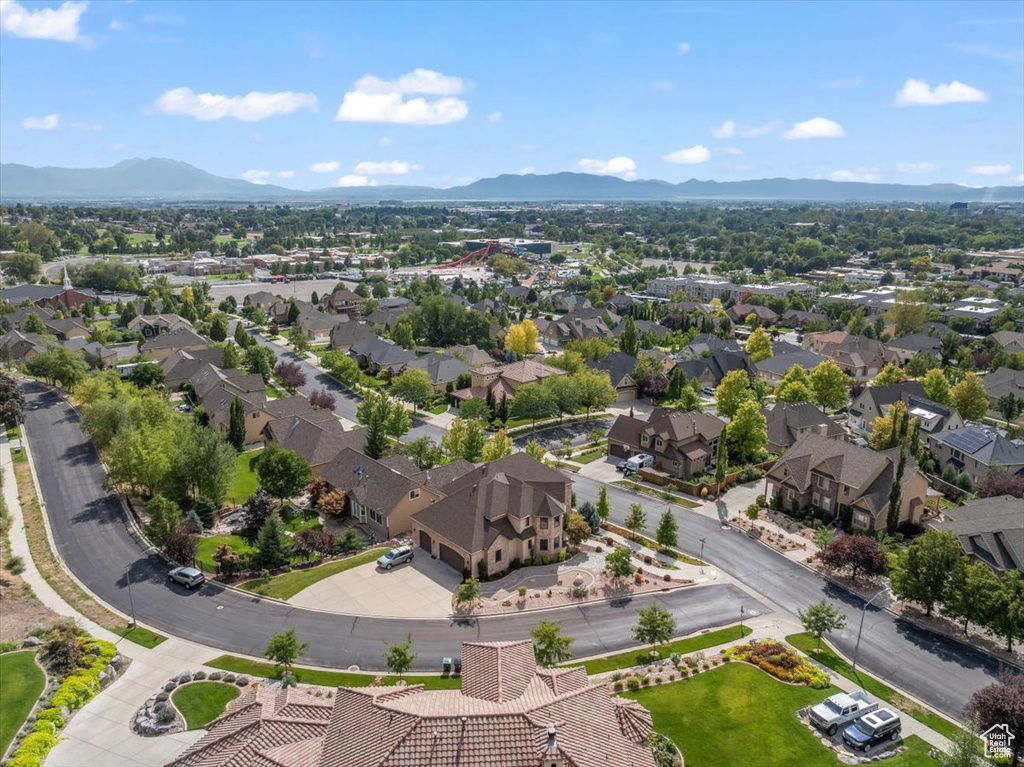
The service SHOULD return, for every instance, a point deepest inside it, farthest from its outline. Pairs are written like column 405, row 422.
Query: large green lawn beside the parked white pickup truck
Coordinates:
column 739, row 715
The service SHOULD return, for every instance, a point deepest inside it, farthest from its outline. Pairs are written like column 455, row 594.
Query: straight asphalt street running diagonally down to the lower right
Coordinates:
column 936, row 670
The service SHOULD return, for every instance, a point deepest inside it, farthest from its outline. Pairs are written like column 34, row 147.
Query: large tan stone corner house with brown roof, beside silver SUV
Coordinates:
column 513, row 509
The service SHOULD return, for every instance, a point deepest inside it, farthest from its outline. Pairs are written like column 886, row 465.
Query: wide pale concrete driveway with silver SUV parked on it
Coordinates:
column 422, row 588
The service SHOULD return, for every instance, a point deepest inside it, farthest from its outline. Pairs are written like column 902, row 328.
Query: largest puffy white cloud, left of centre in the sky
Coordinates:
column 376, row 101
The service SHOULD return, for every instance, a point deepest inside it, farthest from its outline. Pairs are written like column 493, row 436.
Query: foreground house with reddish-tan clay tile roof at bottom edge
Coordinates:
column 508, row 713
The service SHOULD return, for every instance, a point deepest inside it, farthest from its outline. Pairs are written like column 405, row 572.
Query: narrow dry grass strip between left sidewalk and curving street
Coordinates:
column 59, row 580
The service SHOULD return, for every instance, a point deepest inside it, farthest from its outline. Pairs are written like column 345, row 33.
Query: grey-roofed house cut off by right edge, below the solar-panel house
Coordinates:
column 991, row 531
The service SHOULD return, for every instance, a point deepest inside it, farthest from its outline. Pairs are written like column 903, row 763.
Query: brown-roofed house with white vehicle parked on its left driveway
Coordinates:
column 682, row 444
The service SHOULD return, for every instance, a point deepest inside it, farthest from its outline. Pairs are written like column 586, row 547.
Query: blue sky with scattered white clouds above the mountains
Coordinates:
column 315, row 95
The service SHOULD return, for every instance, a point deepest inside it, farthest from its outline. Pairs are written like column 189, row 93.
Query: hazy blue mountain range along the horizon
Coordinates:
column 156, row 180
